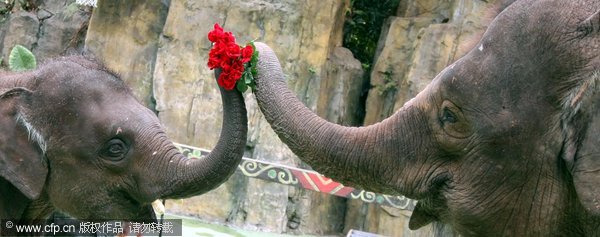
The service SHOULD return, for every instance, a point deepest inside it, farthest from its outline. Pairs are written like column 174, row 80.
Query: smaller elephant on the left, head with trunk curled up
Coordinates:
column 73, row 138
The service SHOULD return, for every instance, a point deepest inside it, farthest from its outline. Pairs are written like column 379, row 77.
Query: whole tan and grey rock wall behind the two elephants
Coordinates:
column 160, row 48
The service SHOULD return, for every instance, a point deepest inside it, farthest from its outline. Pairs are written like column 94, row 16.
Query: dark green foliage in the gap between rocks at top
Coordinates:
column 363, row 25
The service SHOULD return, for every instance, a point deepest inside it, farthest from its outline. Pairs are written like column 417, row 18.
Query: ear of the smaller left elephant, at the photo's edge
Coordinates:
column 21, row 160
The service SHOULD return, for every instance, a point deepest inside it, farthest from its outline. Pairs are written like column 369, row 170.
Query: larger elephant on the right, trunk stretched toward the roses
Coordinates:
column 502, row 142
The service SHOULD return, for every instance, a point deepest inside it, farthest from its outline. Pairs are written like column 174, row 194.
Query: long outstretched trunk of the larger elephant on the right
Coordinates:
column 370, row 156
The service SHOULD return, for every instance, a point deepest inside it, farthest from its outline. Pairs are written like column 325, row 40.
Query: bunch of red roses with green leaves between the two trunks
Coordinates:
column 238, row 64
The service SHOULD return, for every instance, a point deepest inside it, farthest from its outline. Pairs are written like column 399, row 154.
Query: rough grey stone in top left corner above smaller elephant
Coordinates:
column 49, row 30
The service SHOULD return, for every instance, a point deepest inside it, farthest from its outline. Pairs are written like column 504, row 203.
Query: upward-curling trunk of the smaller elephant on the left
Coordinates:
column 185, row 177
